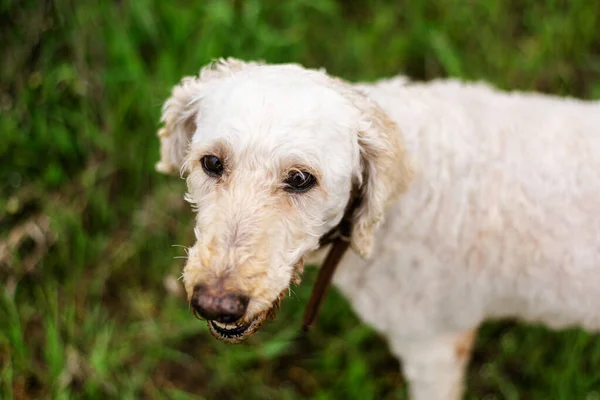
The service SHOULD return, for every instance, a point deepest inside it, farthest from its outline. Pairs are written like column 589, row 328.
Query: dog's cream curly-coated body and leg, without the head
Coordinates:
column 501, row 220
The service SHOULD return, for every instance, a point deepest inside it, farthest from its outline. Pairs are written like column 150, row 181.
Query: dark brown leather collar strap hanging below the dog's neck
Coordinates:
column 339, row 238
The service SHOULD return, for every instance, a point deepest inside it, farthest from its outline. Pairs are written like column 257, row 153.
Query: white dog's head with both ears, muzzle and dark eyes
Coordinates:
column 271, row 154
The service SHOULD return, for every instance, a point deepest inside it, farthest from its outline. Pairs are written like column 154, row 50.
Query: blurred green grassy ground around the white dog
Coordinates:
column 89, row 303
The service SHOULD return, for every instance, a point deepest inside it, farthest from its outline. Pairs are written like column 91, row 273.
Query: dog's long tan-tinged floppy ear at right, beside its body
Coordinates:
column 385, row 173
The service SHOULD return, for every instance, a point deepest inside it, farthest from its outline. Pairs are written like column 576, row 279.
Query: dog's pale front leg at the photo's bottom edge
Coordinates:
column 435, row 366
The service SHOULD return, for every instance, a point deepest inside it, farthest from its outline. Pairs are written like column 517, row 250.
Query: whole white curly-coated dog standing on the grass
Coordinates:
column 474, row 204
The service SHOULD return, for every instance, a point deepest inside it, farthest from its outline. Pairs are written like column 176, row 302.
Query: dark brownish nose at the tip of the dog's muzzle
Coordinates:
column 218, row 305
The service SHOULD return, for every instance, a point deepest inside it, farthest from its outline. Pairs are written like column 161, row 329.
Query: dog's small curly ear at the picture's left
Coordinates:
column 180, row 111
